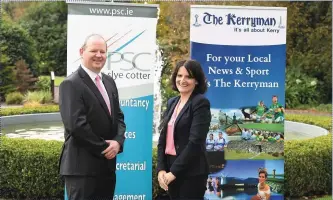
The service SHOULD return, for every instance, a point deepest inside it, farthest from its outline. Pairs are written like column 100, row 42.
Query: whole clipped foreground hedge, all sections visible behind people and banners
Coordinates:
column 29, row 168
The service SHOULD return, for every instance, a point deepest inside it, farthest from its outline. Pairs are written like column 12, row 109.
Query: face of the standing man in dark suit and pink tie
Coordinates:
column 94, row 54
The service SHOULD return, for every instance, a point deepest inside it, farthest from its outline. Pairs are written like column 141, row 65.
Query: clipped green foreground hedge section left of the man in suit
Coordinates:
column 29, row 168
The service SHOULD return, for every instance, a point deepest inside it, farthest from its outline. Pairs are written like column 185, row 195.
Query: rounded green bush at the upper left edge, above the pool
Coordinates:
column 18, row 44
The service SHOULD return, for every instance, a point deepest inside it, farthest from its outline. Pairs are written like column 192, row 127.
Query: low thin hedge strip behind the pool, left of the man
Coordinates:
column 29, row 110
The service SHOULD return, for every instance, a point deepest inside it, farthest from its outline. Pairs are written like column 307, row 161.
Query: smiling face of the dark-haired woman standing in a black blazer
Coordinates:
column 185, row 84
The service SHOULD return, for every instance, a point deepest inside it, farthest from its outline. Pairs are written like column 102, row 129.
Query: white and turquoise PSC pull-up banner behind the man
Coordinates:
column 130, row 31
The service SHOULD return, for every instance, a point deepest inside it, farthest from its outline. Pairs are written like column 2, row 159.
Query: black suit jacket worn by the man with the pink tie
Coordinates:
column 88, row 124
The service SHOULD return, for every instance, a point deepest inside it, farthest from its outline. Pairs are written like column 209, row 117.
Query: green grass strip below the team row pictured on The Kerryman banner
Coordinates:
column 234, row 155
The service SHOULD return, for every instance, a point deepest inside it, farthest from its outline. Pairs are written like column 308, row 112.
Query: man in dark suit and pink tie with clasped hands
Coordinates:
column 94, row 126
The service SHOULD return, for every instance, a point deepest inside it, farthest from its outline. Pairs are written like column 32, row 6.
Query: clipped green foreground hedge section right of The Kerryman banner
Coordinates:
column 308, row 166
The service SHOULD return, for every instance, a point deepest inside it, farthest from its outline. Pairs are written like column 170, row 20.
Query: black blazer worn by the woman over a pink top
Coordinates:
column 190, row 132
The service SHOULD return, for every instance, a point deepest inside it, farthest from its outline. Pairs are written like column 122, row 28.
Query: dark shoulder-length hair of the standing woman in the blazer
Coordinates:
column 195, row 71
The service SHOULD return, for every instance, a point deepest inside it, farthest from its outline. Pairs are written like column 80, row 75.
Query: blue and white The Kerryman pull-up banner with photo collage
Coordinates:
column 243, row 53
